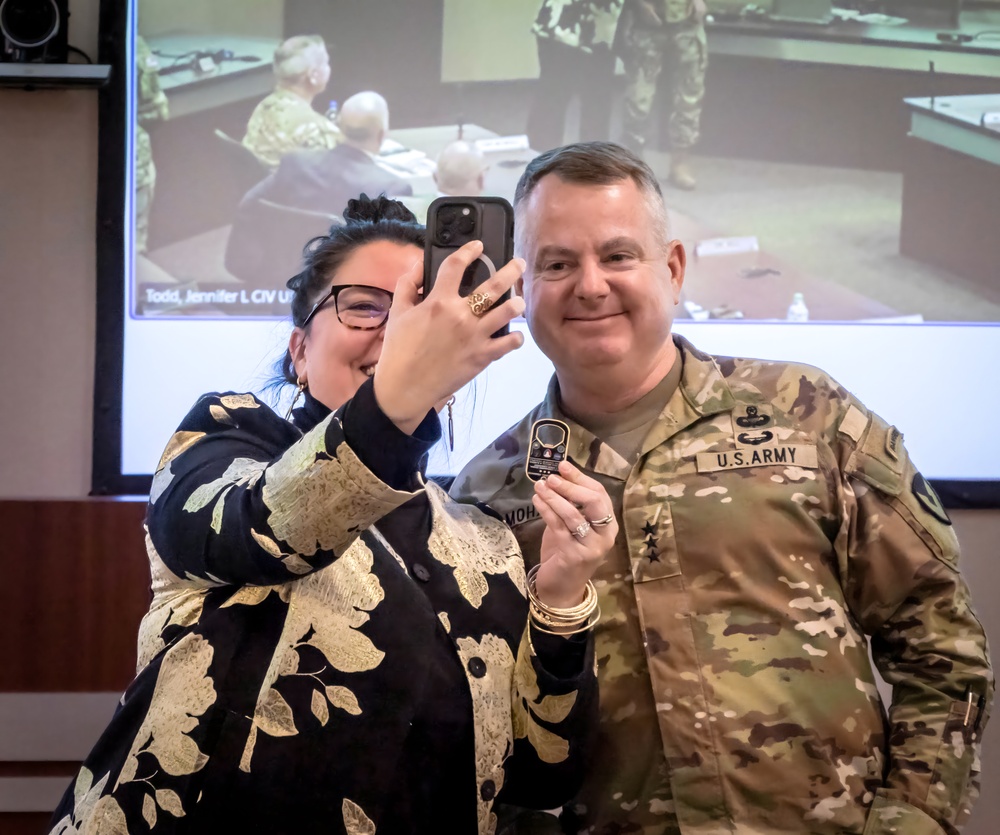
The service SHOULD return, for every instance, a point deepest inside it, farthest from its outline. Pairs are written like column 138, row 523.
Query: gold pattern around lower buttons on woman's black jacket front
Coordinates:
column 491, row 711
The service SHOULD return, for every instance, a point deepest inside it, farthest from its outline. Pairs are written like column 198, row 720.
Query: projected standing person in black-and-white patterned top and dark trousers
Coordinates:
column 574, row 59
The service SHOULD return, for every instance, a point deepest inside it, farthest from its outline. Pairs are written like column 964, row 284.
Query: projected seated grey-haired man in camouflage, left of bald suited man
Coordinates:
column 285, row 121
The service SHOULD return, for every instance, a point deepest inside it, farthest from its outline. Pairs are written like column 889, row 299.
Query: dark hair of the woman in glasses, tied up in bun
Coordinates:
column 366, row 220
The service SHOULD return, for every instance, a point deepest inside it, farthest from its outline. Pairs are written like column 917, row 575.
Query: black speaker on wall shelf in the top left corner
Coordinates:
column 33, row 31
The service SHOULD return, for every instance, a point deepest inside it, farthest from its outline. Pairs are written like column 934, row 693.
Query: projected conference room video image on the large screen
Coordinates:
column 842, row 159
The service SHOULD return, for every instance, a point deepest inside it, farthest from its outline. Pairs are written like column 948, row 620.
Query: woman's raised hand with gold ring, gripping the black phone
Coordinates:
column 435, row 346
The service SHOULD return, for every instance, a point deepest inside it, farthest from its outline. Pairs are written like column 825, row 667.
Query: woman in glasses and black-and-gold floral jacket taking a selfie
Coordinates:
column 333, row 645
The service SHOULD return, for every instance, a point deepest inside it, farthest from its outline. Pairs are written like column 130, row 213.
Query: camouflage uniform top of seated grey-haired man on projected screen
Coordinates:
column 285, row 122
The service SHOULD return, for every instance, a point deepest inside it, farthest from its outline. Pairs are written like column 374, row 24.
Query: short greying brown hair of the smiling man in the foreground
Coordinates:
column 590, row 163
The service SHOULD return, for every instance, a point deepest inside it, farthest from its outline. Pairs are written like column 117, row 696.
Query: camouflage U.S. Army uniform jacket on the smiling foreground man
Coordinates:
column 771, row 528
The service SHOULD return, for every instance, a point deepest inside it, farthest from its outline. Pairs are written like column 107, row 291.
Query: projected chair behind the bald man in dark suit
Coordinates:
column 266, row 240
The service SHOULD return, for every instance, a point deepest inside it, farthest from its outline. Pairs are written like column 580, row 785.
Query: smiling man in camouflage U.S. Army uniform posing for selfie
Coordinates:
column 773, row 529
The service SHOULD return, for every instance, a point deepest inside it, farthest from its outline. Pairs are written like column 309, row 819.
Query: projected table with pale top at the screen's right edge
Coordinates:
column 951, row 187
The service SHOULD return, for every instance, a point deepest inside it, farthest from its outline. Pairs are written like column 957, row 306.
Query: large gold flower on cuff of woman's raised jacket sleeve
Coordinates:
column 305, row 482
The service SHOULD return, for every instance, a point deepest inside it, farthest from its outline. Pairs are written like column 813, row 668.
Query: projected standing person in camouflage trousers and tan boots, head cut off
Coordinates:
column 651, row 32
